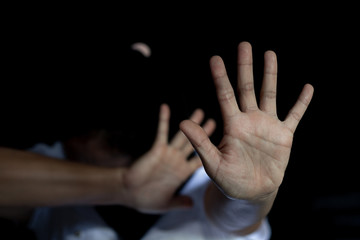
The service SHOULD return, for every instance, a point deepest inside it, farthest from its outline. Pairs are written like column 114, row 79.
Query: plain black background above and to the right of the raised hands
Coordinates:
column 67, row 70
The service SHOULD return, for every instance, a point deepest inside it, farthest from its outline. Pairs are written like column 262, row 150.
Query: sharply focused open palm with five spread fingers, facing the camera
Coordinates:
column 250, row 161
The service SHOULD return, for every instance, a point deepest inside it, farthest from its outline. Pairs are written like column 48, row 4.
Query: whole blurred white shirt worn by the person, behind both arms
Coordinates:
column 83, row 222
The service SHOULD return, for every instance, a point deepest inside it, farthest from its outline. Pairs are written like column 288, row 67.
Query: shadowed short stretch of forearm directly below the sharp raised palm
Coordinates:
column 236, row 216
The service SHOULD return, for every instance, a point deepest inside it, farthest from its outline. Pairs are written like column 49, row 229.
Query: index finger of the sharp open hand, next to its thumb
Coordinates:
column 224, row 90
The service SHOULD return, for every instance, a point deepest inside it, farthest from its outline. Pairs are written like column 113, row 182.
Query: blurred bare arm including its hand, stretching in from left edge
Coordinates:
column 29, row 179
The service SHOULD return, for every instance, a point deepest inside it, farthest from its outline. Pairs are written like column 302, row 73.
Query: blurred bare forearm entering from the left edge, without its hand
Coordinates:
column 28, row 179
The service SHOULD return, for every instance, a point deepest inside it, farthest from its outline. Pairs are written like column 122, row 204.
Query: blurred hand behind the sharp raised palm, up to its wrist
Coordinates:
column 154, row 178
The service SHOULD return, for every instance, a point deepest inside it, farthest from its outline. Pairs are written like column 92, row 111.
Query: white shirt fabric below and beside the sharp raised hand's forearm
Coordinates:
column 193, row 224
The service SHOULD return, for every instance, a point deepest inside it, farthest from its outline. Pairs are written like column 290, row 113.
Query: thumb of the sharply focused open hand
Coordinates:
column 198, row 137
